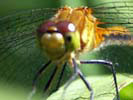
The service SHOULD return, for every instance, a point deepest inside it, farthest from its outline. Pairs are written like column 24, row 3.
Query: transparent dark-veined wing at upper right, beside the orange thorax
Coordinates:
column 115, row 13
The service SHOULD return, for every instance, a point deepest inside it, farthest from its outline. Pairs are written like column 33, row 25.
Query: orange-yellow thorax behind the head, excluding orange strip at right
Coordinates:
column 84, row 22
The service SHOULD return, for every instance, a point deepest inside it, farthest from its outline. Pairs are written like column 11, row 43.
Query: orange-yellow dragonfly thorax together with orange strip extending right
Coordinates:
column 91, row 36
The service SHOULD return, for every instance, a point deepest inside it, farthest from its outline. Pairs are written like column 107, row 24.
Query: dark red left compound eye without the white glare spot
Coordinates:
column 44, row 27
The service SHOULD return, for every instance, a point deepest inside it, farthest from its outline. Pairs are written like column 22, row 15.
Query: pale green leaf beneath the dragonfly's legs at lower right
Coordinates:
column 102, row 86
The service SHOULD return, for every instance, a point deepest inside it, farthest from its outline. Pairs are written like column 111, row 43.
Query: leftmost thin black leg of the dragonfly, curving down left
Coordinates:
column 39, row 73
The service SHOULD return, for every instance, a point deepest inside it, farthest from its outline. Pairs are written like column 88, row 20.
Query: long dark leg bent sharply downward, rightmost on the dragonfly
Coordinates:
column 110, row 66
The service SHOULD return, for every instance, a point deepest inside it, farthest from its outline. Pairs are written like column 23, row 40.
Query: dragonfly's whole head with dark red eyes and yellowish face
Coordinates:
column 58, row 38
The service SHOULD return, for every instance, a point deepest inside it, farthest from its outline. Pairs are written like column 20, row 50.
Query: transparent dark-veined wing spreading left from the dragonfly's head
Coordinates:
column 20, row 28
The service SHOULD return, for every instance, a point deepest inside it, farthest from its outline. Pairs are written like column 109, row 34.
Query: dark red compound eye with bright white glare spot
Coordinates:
column 65, row 26
